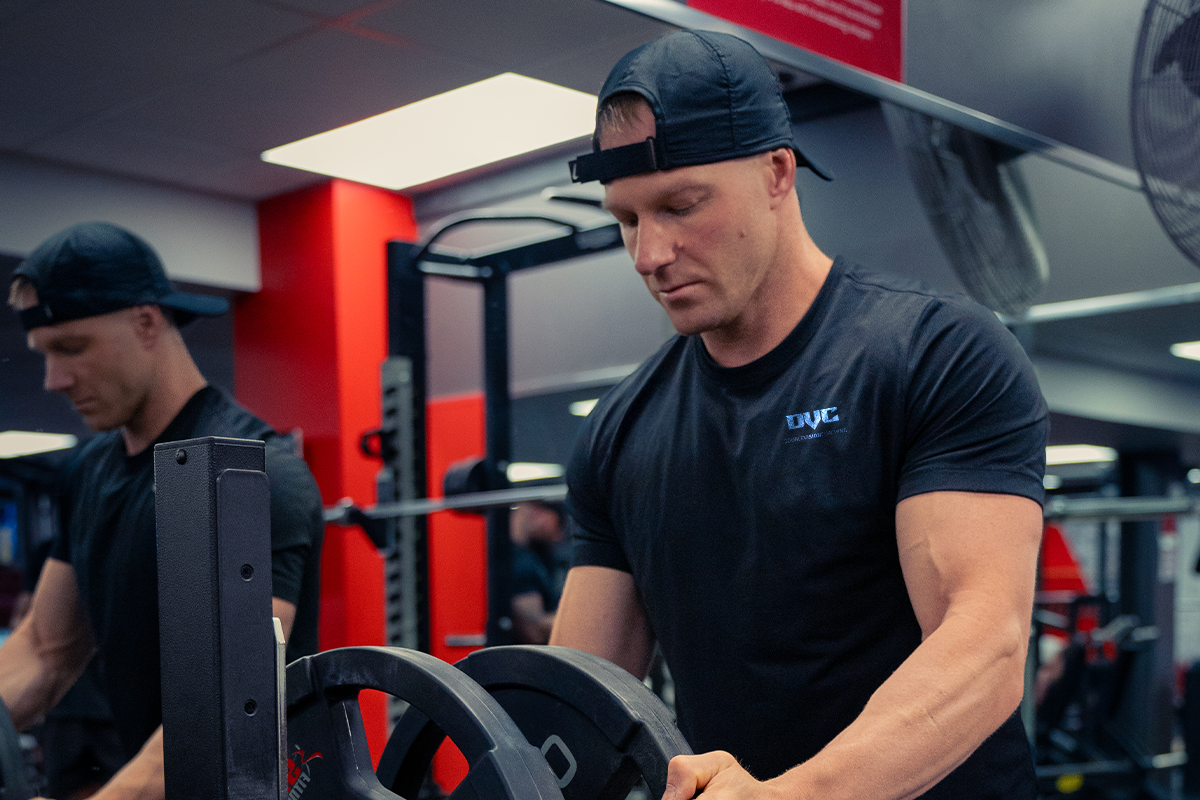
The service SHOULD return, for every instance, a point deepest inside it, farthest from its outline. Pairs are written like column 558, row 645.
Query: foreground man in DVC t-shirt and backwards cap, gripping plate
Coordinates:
column 823, row 498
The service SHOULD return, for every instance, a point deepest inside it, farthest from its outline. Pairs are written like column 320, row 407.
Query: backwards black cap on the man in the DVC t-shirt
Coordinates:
column 715, row 99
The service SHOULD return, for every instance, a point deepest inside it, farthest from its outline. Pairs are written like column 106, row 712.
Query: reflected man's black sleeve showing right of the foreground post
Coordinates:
column 297, row 522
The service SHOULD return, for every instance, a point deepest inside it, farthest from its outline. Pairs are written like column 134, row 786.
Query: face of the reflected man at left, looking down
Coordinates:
column 100, row 364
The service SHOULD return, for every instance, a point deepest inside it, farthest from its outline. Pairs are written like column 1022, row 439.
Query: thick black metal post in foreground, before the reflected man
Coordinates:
column 220, row 699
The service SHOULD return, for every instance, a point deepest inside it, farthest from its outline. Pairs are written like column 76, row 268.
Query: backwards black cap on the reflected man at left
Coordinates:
column 97, row 268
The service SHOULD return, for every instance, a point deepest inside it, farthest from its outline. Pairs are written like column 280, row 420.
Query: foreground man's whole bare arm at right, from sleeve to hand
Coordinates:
column 970, row 564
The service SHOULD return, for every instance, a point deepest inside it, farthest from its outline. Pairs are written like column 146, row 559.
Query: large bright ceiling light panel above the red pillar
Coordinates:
column 476, row 125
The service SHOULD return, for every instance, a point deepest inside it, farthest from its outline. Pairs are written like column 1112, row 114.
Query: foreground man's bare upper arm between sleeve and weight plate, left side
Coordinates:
column 602, row 613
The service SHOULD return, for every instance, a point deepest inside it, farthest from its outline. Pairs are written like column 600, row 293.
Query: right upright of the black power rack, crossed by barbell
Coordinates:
column 500, row 453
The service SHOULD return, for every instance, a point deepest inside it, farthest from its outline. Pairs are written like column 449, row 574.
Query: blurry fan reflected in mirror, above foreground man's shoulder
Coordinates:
column 979, row 206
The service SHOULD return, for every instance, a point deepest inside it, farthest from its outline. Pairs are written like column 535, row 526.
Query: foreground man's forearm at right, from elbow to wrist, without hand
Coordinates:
column 927, row 719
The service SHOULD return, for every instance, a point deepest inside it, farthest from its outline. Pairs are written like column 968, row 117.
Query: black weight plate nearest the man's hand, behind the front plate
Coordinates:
column 599, row 727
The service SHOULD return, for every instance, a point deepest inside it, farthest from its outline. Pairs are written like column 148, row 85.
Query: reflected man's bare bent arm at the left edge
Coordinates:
column 50, row 649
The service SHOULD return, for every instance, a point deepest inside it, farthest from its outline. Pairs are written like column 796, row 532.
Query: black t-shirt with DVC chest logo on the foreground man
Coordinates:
column 755, row 509
